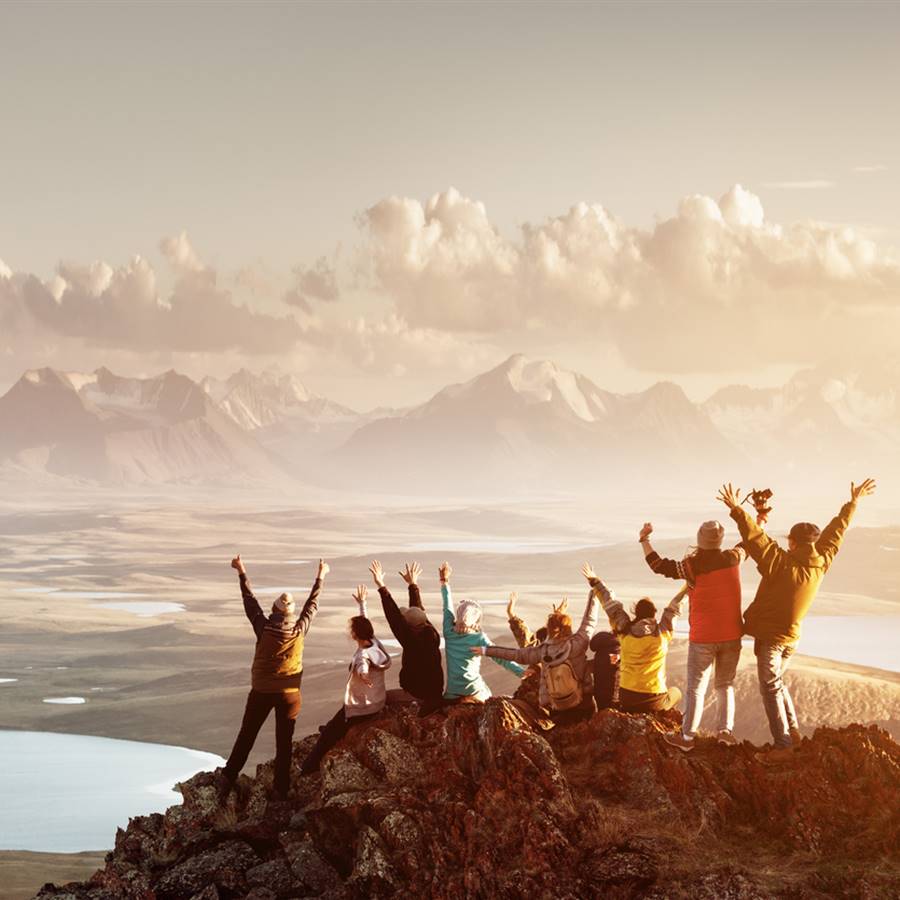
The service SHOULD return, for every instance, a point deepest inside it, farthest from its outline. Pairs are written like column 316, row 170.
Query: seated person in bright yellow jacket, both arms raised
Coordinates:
column 645, row 643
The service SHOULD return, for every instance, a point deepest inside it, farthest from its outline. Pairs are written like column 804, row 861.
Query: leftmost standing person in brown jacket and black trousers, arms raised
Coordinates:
column 275, row 678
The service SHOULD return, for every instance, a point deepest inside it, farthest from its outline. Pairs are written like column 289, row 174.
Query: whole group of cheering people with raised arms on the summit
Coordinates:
column 628, row 669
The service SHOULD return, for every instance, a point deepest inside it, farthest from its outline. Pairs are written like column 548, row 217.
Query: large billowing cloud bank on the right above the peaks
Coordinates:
column 713, row 282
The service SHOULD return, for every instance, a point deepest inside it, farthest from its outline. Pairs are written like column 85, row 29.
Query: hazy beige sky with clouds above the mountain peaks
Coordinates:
column 388, row 197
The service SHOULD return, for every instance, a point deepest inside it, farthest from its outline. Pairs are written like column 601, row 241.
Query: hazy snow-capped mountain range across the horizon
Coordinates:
column 524, row 420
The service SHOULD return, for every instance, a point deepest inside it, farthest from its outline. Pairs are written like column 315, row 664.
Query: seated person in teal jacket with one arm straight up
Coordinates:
column 462, row 631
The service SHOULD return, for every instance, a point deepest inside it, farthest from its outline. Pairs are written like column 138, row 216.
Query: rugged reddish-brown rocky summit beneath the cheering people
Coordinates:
column 486, row 801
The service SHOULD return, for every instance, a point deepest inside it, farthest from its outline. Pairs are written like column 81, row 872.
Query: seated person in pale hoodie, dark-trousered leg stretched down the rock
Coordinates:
column 365, row 694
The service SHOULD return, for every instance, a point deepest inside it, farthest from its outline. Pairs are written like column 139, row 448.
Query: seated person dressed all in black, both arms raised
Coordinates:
column 421, row 672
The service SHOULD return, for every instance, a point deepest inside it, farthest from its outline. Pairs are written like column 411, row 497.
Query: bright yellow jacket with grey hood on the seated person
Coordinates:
column 644, row 642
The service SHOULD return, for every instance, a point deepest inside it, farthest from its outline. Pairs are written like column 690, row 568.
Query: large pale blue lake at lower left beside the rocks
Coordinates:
column 63, row 793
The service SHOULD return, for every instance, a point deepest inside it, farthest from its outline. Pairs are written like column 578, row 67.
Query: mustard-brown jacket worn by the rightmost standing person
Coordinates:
column 790, row 578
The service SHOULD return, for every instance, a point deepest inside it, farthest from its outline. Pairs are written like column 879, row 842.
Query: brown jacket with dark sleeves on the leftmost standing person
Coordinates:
column 278, row 661
